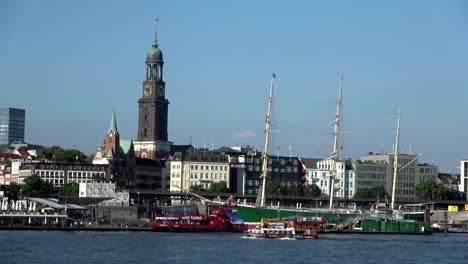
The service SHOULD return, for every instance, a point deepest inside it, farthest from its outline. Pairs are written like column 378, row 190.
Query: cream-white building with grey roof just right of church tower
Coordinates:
column 188, row 170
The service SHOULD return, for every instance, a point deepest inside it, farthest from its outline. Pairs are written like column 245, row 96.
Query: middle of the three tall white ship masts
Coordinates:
column 334, row 154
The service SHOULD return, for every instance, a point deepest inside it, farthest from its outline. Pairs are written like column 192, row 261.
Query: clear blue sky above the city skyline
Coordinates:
column 69, row 63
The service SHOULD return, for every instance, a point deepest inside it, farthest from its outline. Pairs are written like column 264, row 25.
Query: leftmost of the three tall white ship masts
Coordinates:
column 261, row 192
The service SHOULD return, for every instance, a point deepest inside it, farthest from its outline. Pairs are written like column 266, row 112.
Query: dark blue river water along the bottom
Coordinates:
column 226, row 248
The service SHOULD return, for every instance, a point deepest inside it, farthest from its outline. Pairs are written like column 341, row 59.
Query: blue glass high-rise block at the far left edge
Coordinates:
column 12, row 123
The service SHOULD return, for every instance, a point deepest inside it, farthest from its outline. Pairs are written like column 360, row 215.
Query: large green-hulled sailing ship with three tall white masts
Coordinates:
column 339, row 218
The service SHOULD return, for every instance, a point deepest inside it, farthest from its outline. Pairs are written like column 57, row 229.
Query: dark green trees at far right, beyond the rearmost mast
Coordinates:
column 432, row 191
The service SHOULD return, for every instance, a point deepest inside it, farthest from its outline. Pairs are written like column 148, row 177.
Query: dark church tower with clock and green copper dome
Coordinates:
column 152, row 139
